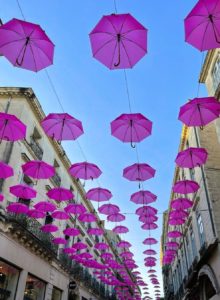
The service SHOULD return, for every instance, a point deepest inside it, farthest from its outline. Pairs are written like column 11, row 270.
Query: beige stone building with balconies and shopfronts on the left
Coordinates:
column 31, row 266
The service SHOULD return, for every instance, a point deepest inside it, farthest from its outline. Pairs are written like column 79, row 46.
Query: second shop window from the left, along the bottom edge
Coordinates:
column 34, row 289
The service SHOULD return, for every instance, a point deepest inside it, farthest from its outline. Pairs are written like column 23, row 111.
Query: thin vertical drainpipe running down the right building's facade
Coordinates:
column 208, row 200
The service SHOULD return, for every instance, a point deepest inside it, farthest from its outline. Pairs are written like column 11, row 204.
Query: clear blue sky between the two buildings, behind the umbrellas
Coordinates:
column 162, row 81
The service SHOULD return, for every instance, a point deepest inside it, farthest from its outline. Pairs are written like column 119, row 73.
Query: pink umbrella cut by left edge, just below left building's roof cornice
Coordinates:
column 11, row 128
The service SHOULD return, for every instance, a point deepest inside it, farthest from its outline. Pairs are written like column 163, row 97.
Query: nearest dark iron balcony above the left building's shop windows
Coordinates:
column 29, row 229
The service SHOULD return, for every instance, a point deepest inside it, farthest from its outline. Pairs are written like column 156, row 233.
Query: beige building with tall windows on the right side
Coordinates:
column 195, row 272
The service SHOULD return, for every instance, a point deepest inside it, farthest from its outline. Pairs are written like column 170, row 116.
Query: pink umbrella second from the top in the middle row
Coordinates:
column 131, row 128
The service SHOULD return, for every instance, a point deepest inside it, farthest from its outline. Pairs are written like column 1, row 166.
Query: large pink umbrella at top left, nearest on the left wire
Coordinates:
column 26, row 45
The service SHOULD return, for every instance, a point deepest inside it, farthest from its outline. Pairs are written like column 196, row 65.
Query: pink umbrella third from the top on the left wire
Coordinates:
column 85, row 170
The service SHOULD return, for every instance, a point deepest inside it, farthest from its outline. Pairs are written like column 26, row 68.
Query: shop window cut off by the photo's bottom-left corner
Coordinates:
column 8, row 280
